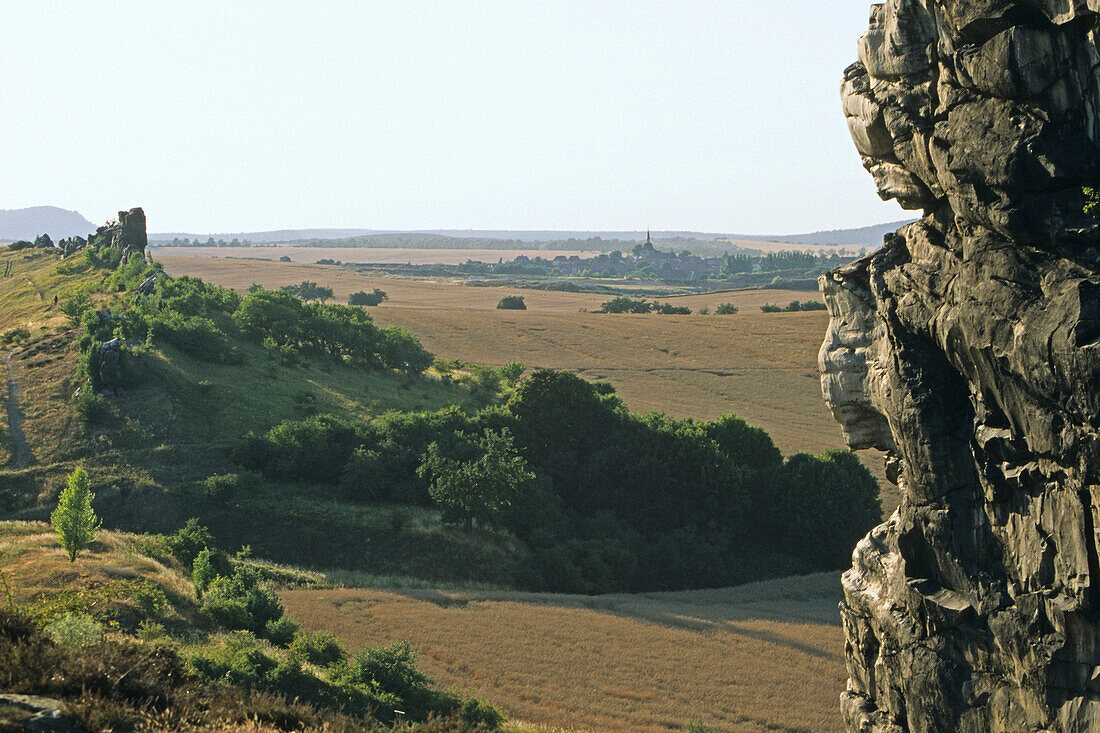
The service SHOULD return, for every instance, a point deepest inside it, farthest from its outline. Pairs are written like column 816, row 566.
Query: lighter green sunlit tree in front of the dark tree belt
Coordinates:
column 480, row 487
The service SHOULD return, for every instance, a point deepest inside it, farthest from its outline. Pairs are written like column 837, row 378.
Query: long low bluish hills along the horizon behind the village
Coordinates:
column 483, row 238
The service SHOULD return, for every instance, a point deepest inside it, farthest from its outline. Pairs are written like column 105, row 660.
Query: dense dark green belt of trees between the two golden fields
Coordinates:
column 607, row 501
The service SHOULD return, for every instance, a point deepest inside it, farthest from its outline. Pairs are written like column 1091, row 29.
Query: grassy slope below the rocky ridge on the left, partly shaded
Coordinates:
column 175, row 424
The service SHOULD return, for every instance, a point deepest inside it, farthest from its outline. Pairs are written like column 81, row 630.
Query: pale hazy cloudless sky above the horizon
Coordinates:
column 243, row 116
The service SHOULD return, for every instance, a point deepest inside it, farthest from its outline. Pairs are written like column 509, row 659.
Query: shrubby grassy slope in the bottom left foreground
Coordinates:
column 125, row 641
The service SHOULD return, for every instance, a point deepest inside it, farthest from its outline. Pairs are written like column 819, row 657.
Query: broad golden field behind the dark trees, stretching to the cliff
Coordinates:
column 763, row 367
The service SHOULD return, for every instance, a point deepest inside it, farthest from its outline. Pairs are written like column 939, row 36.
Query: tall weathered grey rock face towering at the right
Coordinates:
column 969, row 348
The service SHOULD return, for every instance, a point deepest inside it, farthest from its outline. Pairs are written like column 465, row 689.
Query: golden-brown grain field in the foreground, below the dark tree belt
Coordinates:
column 762, row 658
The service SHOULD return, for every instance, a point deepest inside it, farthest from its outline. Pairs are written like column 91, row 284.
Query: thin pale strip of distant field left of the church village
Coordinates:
column 361, row 255
